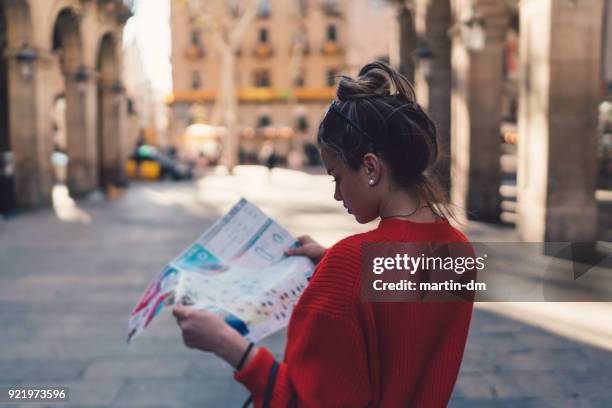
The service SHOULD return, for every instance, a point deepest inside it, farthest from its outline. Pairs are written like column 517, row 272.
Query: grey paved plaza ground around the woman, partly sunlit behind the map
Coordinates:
column 67, row 287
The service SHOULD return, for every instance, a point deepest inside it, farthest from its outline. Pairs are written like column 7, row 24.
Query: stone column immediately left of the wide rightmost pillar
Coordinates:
column 476, row 111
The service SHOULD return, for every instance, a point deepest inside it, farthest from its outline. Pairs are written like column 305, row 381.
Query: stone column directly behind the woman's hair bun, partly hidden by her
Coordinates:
column 433, row 74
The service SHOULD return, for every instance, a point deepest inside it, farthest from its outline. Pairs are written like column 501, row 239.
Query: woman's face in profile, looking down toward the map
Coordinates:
column 351, row 187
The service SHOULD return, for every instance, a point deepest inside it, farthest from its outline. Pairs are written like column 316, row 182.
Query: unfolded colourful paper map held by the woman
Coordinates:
column 237, row 269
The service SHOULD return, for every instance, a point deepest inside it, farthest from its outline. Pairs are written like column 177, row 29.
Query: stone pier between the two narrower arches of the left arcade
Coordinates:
column 81, row 115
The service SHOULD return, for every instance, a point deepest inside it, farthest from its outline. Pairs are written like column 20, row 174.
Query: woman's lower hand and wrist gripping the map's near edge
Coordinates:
column 206, row 331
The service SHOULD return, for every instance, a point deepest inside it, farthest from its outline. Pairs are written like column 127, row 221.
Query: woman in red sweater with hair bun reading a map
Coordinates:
column 342, row 351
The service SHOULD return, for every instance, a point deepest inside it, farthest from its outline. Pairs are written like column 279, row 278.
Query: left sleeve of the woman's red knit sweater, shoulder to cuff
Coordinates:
column 326, row 362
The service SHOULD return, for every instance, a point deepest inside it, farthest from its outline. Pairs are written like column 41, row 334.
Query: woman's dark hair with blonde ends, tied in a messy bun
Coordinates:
column 377, row 113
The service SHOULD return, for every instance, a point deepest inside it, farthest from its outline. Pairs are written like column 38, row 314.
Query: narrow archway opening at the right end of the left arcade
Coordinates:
column 109, row 97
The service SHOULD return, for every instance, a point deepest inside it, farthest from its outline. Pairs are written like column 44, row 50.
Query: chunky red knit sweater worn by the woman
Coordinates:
column 344, row 352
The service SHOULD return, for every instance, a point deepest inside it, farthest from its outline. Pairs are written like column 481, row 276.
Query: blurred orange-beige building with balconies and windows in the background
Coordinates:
column 282, row 94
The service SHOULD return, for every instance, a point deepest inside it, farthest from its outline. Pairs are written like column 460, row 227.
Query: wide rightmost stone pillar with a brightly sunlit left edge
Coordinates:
column 559, row 90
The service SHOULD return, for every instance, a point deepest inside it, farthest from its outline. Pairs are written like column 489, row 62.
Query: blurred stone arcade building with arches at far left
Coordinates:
column 61, row 89
